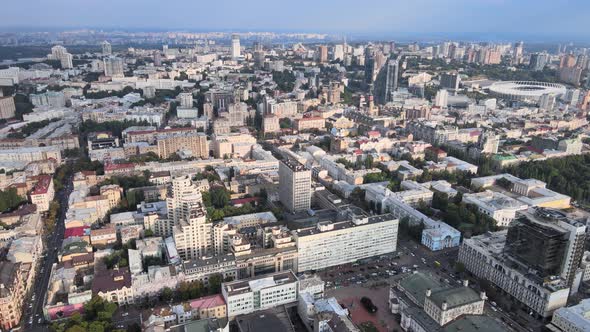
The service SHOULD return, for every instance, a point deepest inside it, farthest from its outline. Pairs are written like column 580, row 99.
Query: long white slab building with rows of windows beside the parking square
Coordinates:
column 334, row 243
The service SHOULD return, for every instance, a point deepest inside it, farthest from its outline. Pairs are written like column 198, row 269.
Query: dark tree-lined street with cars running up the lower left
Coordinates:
column 53, row 241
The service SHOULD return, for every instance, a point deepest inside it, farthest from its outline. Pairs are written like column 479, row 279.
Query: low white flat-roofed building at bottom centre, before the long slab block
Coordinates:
column 247, row 296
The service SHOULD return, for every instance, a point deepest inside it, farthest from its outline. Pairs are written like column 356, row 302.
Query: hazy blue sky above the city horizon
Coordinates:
column 508, row 18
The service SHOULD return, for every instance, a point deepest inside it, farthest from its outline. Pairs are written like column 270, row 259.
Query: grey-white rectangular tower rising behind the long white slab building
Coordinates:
column 294, row 185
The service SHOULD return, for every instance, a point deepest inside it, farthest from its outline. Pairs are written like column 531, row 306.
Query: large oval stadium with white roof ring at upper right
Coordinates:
column 526, row 91
